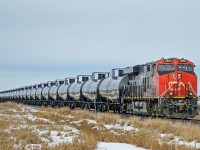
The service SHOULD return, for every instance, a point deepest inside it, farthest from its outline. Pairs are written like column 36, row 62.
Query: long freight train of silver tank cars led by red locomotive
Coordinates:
column 166, row 87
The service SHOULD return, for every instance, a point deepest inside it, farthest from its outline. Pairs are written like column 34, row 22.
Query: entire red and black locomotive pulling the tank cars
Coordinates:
column 167, row 87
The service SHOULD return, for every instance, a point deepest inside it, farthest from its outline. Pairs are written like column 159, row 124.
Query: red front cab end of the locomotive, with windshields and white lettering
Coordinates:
column 176, row 88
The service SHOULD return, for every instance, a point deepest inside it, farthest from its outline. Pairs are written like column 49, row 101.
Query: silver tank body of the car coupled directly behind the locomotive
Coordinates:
column 110, row 87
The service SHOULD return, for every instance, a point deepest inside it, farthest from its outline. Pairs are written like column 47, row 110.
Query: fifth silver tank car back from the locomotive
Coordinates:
column 53, row 92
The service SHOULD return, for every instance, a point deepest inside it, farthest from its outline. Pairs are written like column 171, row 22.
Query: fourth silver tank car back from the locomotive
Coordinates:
column 63, row 89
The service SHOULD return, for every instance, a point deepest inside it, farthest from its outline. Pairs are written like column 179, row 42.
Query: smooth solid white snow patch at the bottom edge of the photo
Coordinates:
column 117, row 146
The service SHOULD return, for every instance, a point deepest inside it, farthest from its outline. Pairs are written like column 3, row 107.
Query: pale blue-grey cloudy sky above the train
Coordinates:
column 44, row 40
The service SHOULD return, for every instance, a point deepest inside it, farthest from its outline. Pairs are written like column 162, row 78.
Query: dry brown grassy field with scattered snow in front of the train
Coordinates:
column 25, row 127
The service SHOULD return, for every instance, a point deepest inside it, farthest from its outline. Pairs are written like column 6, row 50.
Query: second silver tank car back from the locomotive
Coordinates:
column 91, row 88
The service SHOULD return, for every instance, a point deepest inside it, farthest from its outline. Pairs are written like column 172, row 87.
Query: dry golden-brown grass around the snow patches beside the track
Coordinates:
column 148, row 135
